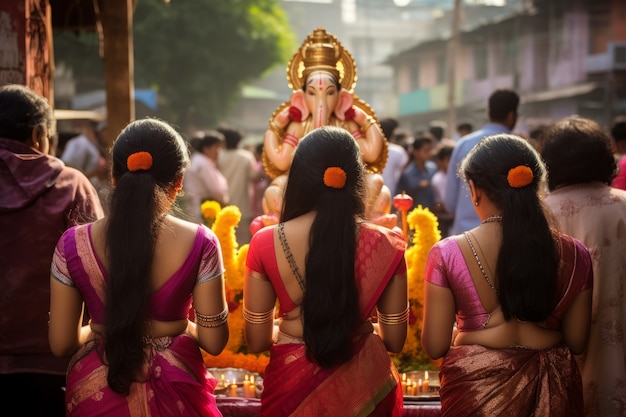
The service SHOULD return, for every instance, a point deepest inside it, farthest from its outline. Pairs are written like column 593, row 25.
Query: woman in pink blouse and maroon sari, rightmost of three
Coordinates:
column 519, row 293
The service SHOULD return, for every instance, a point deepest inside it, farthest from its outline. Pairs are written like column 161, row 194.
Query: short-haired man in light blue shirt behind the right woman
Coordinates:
column 502, row 113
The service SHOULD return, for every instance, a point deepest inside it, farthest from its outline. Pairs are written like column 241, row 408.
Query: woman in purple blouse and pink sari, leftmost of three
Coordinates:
column 138, row 271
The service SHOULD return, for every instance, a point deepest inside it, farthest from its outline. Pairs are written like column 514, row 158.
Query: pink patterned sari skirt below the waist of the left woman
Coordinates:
column 175, row 383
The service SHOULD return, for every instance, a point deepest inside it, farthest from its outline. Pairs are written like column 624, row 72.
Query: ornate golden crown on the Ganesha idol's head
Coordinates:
column 321, row 51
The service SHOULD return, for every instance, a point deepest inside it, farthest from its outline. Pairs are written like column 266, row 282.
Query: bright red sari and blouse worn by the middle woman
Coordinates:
column 367, row 385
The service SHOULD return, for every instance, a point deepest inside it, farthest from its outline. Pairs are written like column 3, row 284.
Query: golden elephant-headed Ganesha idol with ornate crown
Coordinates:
column 322, row 75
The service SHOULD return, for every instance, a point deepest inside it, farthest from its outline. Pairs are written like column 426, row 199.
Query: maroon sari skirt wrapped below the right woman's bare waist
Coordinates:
column 517, row 381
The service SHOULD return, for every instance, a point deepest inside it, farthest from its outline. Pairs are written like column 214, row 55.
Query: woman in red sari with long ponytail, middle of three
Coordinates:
column 329, row 271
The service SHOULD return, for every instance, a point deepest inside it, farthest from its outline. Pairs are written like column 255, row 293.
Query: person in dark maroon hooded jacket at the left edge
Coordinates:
column 40, row 198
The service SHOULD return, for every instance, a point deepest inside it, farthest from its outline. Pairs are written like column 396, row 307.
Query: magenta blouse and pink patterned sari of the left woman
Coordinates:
column 175, row 381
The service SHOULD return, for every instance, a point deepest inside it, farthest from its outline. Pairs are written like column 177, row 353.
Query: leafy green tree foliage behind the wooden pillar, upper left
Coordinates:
column 196, row 54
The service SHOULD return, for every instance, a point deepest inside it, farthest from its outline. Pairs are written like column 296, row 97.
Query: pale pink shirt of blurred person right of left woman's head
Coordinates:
column 203, row 181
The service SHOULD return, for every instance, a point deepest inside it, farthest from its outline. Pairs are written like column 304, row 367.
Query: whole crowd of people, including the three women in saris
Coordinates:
column 123, row 288
